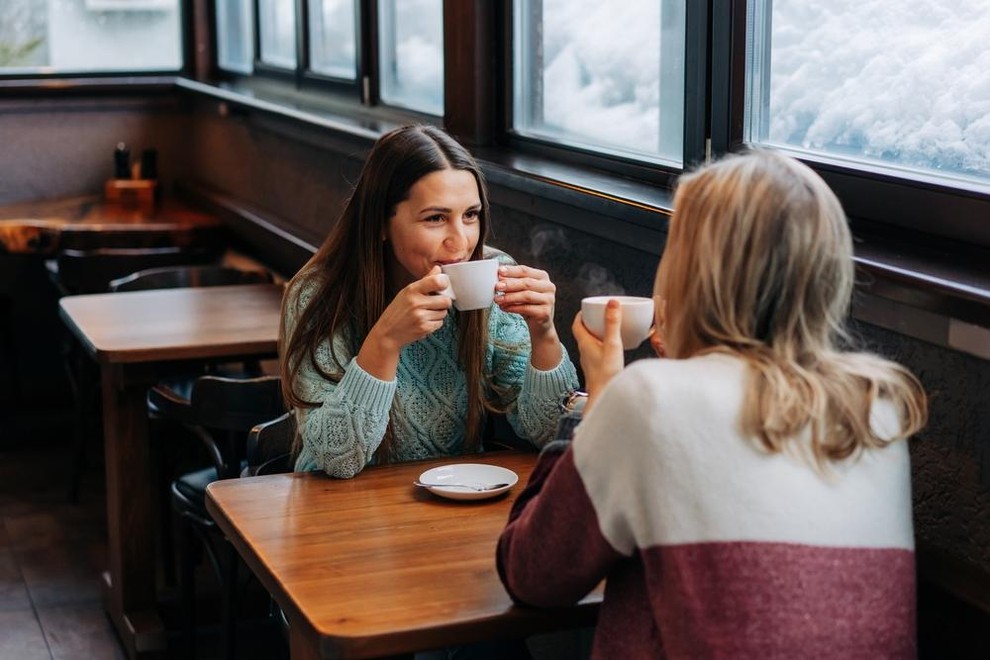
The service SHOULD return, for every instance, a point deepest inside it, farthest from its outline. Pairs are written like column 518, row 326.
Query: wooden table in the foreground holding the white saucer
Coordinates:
column 373, row 566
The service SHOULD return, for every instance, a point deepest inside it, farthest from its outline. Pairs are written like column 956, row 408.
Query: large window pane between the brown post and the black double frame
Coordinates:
column 603, row 76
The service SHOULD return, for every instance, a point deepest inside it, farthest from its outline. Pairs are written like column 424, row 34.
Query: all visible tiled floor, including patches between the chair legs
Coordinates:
column 52, row 552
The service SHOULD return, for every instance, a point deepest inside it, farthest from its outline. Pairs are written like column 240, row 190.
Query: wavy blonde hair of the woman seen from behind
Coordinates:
column 759, row 264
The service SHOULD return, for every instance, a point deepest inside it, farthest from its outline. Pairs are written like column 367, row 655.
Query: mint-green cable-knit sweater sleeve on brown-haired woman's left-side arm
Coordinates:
column 341, row 434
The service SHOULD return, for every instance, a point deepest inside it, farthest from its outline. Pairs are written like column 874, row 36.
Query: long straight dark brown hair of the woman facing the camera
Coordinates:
column 348, row 275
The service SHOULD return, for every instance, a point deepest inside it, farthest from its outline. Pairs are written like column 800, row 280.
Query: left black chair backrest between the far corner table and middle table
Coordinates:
column 90, row 271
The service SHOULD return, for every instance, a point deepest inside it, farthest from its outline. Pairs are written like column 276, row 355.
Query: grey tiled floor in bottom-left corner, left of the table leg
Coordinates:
column 51, row 554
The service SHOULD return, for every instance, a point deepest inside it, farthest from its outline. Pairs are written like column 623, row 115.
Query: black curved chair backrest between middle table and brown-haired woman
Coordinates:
column 226, row 409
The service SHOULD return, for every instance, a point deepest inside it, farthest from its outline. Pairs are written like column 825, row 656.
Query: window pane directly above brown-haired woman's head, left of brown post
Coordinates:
column 410, row 36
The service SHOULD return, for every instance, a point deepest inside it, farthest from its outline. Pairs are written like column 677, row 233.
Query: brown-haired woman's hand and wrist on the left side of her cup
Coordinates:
column 416, row 311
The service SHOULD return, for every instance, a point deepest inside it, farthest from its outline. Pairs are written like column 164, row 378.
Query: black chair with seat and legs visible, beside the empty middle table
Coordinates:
column 221, row 412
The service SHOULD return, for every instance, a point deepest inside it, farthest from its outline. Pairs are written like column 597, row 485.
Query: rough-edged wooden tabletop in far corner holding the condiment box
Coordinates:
column 45, row 226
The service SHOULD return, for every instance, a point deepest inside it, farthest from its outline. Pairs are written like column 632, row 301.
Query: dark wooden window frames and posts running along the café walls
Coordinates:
column 478, row 60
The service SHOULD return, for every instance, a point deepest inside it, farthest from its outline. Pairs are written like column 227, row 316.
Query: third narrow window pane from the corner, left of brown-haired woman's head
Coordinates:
column 333, row 48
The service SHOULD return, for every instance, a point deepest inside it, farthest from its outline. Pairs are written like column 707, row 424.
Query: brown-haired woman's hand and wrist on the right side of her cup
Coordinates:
column 530, row 293
